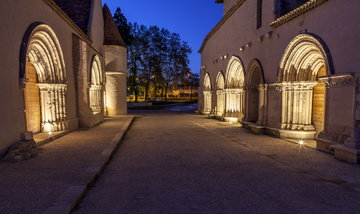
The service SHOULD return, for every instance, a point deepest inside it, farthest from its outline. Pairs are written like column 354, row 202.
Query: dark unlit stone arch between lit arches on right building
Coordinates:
column 254, row 84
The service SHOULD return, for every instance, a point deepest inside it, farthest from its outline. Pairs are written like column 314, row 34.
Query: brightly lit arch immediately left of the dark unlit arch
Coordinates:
column 234, row 89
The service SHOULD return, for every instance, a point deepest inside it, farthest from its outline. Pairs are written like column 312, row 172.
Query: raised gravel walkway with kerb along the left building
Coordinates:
column 34, row 185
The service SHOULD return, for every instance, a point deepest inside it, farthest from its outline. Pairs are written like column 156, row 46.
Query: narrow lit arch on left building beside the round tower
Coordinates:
column 95, row 90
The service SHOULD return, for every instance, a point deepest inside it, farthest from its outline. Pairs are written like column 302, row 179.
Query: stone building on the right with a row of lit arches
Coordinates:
column 287, row 68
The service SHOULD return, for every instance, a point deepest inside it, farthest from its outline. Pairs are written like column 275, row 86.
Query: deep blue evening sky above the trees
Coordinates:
column 192, row 19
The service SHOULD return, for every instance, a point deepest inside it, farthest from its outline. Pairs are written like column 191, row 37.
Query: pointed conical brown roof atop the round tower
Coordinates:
column 111, row 32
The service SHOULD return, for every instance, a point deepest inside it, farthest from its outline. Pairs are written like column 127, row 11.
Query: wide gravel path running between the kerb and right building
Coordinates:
column 184, row 163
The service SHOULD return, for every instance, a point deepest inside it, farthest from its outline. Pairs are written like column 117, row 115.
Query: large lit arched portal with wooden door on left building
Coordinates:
column 44, row 71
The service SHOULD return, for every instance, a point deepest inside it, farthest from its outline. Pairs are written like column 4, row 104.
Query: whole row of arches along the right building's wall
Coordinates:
column 299, row 89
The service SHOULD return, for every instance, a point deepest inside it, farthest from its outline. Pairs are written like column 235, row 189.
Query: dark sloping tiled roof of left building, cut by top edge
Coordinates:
column 77, row 10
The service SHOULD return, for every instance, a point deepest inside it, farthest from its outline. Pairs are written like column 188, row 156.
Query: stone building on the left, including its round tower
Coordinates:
column 64, row 67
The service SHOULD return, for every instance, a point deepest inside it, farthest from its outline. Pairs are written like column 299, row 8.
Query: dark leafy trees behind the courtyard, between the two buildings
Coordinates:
column 157, row 58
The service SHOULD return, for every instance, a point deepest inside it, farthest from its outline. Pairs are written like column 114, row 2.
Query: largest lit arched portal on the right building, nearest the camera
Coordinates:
column 303, row 94
